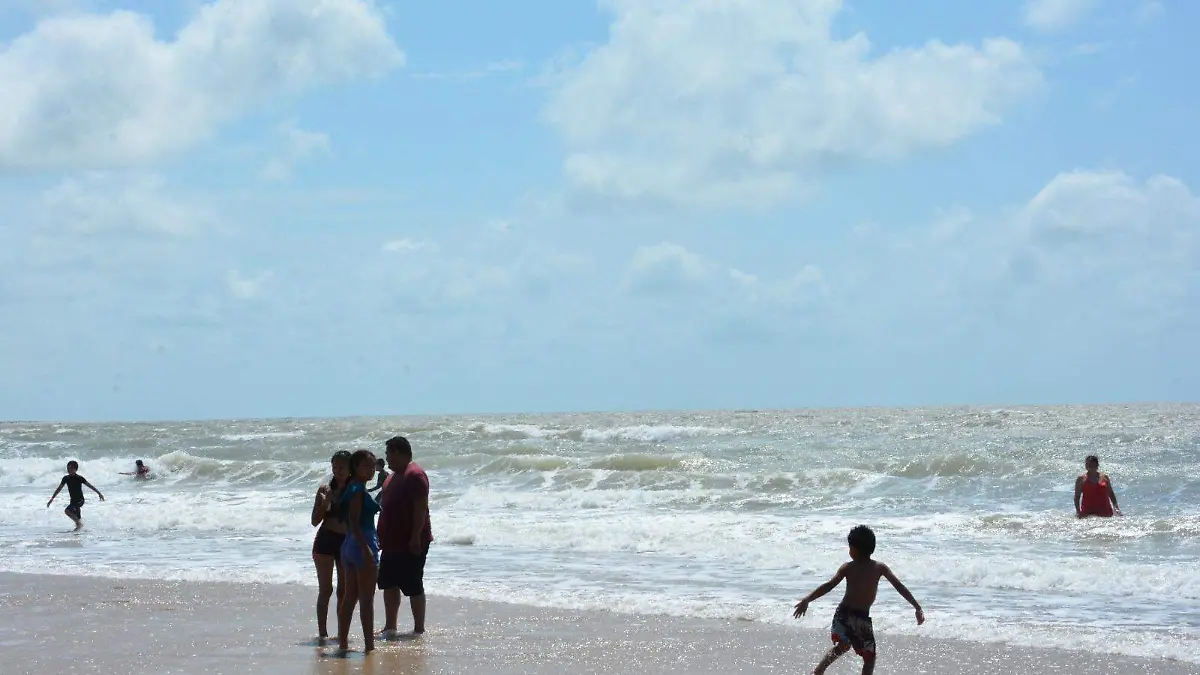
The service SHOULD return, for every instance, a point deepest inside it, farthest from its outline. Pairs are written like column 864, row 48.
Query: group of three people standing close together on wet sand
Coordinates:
column 365, row 555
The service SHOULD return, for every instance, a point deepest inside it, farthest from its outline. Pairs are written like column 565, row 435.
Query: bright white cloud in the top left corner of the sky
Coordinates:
column 101, row 91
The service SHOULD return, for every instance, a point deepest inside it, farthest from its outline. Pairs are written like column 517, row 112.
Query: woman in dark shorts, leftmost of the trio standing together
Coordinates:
column 327, row 547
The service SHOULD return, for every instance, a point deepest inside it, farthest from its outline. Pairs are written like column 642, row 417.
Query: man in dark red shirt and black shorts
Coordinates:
column 405, row 535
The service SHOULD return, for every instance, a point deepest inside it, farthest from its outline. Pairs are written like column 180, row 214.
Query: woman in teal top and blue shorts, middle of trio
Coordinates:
column 361, row 553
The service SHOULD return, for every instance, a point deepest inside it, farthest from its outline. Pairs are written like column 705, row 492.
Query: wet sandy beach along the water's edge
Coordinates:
column 77, row 625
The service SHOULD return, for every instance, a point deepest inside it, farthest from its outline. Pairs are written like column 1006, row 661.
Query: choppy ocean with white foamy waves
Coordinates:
column 707, row 515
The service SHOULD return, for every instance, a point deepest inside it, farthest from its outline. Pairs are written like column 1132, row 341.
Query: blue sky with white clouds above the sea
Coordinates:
column 308, row 208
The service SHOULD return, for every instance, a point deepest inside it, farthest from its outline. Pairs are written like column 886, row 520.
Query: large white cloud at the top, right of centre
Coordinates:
column 724, row 101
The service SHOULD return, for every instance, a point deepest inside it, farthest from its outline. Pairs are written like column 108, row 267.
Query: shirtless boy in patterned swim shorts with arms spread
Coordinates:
column 853, row 619
